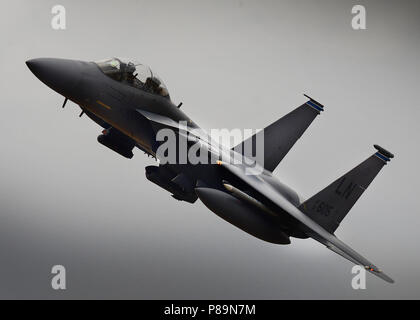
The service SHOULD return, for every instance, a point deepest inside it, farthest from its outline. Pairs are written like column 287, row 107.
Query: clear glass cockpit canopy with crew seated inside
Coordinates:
column 134, row 74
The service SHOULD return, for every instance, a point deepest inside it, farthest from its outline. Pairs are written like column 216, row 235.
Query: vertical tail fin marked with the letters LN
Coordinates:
column 329, row 206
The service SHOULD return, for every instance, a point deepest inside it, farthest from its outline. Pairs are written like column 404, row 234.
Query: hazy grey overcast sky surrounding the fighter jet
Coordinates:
column 65, row 199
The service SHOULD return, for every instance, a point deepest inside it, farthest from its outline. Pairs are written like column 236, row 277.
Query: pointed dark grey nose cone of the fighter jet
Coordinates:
column 61, row 75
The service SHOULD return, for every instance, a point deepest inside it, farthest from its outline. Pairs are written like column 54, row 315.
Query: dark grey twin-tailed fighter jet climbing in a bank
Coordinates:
column 133, row 106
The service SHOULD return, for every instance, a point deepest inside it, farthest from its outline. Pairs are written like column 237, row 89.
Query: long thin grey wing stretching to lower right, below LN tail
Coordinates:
column 313, row 229
